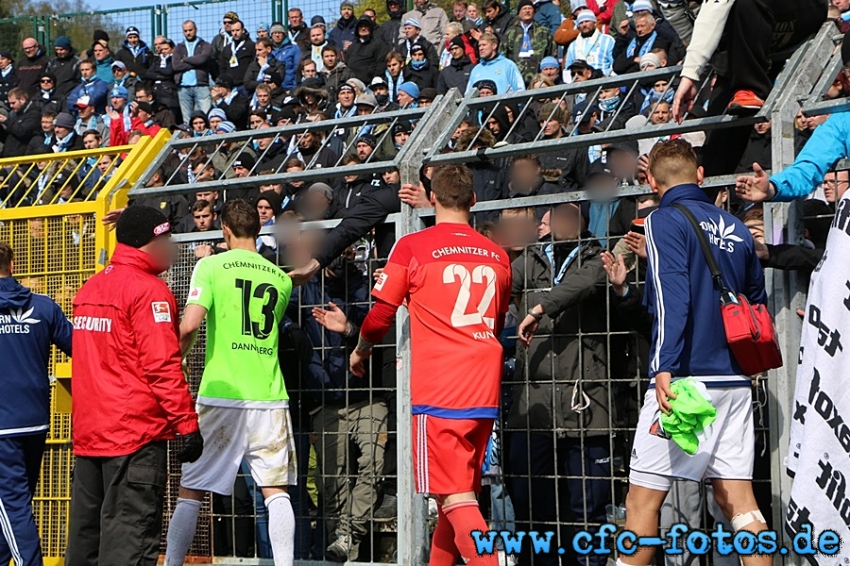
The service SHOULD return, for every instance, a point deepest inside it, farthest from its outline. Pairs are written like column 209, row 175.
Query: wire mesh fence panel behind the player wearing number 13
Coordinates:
column 343, row 425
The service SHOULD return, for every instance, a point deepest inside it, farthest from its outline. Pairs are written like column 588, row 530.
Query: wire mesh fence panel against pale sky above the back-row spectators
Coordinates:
column 208, row 16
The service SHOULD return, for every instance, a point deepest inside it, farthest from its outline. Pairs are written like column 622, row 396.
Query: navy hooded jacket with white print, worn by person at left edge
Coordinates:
column 29, row 324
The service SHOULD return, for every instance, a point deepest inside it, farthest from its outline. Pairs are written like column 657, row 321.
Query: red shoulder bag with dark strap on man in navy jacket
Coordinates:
column 749, row 328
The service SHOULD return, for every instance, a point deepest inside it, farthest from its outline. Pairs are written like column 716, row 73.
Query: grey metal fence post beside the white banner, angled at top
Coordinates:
column 783, row 224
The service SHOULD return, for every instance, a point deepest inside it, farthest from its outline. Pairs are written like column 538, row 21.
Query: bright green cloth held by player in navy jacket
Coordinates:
column 692, row 413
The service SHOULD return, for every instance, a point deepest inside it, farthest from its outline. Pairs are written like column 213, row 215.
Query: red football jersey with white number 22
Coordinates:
column 457, row 285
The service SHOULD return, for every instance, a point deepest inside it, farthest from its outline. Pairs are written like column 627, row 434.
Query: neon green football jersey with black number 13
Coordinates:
column 245, row 296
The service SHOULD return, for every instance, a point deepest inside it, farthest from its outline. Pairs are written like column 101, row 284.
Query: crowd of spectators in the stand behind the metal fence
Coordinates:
column 311, row 71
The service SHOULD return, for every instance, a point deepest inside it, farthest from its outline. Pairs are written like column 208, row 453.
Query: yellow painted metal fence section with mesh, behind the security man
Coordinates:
column 58, row 245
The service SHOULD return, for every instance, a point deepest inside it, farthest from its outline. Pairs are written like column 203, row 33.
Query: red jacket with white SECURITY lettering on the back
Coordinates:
column 128, row 385
